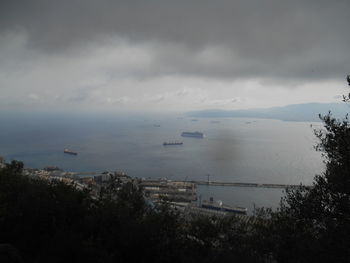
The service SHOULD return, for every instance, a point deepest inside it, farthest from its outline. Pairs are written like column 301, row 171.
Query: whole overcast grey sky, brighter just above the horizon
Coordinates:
column 162, row 55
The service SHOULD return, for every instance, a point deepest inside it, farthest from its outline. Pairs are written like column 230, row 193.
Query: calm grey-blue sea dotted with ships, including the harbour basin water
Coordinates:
column 233, row 150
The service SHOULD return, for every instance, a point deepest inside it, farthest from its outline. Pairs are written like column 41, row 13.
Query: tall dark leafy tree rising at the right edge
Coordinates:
column 313, row 224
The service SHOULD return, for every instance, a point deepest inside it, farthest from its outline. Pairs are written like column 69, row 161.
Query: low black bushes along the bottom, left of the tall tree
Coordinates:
column 50, row 221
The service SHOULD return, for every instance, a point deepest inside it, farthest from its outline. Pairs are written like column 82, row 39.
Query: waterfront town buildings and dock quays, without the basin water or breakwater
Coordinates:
column 179, row 195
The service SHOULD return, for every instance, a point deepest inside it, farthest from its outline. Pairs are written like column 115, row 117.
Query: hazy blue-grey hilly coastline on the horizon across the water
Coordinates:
column 292, row 112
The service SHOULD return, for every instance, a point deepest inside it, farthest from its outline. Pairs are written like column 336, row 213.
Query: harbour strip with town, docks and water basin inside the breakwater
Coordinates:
column 187, row 196
